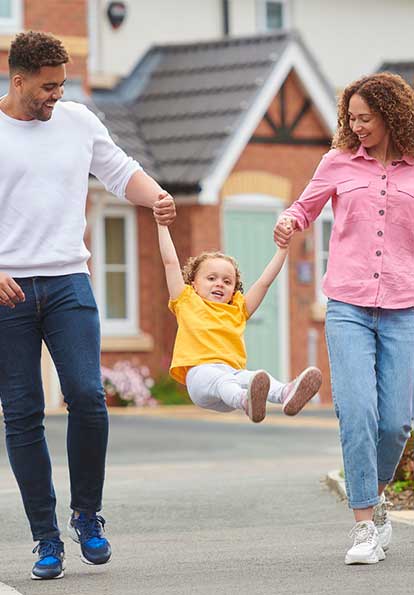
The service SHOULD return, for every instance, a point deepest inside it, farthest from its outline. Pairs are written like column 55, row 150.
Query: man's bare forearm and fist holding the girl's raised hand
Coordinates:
column 144, row 191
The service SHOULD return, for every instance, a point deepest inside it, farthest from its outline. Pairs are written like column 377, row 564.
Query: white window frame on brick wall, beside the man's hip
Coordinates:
column 109, row 208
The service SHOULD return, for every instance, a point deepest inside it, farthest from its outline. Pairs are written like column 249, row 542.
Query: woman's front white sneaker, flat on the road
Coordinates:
column 366, row 548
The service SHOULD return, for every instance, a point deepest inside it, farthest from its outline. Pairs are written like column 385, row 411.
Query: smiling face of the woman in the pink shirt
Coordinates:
column 368, row 125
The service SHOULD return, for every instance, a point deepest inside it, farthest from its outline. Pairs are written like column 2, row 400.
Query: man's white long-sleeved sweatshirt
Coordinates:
column 44, row 171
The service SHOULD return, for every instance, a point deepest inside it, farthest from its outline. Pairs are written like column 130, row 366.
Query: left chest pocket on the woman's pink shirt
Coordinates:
column 355, row 200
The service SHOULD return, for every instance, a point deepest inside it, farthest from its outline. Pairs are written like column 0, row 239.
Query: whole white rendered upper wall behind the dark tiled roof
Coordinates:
column 347, row 37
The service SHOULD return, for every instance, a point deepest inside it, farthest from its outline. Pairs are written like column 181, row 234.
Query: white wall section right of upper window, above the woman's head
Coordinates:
column 350, row 38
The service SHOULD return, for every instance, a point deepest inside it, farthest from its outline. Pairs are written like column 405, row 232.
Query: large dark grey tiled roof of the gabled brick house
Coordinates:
column 180, row 105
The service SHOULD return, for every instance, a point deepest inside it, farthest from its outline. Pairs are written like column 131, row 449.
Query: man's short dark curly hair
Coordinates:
column 32, row 50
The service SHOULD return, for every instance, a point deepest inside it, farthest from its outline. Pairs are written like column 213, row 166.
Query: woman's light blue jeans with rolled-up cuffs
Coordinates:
column 371, row 353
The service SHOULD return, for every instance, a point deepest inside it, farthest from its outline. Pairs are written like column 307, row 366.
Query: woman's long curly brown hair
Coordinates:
column 387, row 94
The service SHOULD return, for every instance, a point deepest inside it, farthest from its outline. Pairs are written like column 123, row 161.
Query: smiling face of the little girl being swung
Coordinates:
column 215, row 280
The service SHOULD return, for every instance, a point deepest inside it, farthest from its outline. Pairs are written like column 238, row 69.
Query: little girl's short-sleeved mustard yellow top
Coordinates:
column 208, row 332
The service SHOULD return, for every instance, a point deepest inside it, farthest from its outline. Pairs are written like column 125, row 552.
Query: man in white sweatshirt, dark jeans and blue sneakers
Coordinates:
column 47, row 150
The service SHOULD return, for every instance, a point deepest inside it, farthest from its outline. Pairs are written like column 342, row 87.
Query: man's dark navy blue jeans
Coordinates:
column 61, row 311
